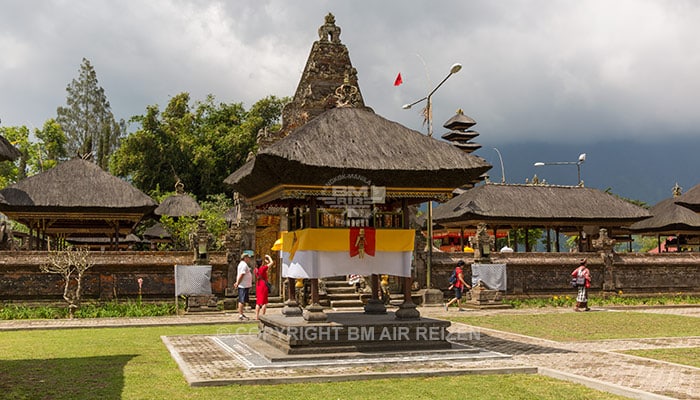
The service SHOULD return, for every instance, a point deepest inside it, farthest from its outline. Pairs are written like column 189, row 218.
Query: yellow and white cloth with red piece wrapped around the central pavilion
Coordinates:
column 319, row 253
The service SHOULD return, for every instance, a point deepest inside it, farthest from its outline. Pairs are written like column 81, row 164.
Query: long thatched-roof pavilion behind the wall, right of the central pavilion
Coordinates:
column 573, row 210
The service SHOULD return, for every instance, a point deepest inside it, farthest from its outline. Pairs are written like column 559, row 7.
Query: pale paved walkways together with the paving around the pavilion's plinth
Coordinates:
column 598, row 364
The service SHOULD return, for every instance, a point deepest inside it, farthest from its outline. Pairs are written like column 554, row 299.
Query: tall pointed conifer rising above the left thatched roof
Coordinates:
column 87, row 119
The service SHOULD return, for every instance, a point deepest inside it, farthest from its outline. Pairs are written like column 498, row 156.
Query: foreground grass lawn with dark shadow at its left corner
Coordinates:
column 133, row 363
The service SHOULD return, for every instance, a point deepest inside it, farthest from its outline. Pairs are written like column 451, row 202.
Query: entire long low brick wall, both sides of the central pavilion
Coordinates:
column 115, row 274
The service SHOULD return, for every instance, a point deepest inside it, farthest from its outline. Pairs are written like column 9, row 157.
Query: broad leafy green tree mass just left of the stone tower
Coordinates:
column 200, row 144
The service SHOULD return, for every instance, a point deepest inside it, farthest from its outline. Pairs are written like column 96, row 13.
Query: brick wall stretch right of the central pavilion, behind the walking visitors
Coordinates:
column 549, row 273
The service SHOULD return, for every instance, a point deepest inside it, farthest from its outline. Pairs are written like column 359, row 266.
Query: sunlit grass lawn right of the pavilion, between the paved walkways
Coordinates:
column 595, row 325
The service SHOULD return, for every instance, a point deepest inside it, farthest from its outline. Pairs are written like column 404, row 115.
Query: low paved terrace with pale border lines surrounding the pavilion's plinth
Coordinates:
column 242, row 359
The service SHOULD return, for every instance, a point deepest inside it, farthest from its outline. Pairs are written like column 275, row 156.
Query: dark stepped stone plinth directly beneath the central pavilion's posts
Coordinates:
column 351, row 332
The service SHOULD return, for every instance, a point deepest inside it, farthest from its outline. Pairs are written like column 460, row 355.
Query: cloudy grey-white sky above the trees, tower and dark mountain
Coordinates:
column 566, row 71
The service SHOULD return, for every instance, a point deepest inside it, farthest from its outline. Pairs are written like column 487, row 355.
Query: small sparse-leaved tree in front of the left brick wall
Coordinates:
column 71, row 264
